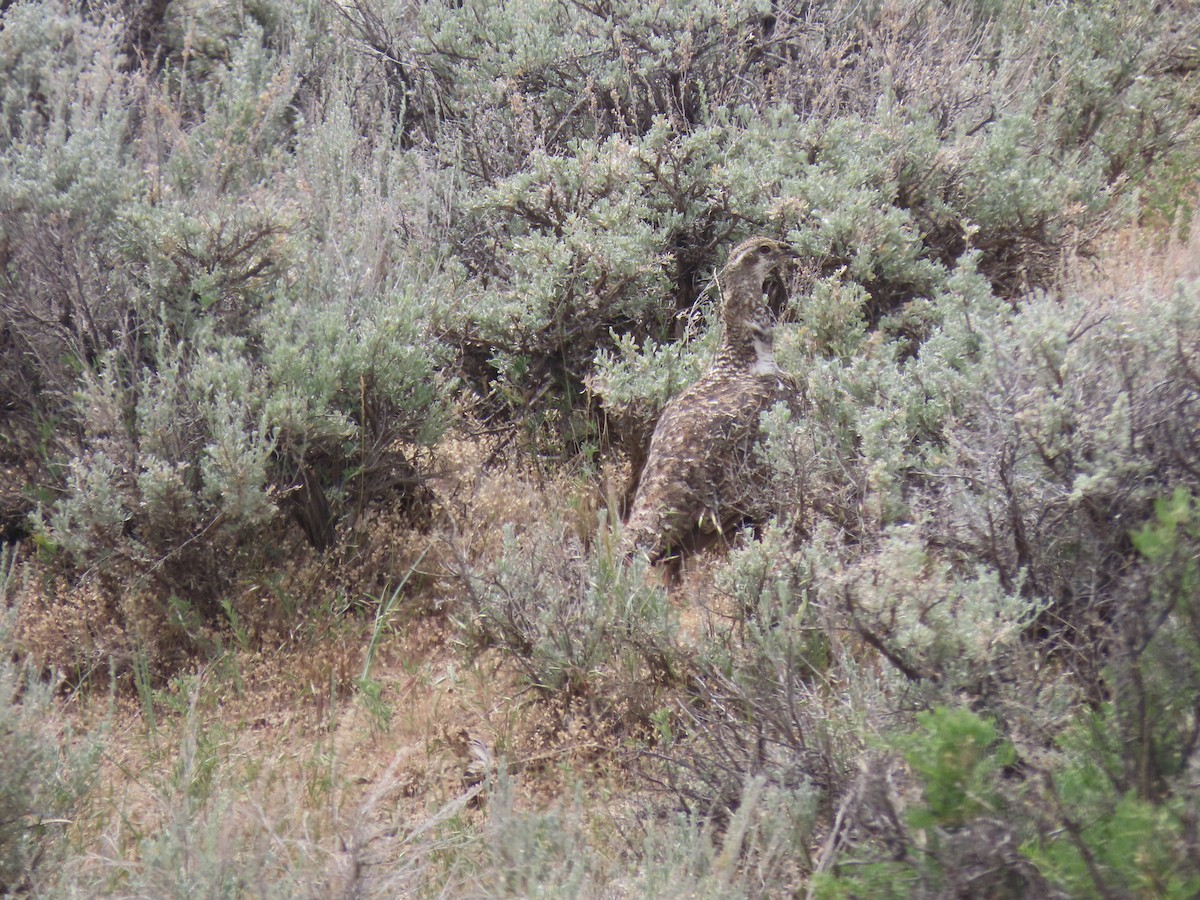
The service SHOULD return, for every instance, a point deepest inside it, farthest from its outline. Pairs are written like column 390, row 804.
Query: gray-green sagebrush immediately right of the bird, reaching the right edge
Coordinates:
column 992, row 442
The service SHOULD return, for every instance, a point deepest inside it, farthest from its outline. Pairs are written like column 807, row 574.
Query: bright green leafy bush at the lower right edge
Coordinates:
column 1121, row 787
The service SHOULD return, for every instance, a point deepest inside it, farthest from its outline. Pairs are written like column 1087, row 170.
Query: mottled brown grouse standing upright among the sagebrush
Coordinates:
column 699, row 471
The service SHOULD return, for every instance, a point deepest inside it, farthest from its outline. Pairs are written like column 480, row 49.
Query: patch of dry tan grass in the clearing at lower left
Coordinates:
column 285, row 764
